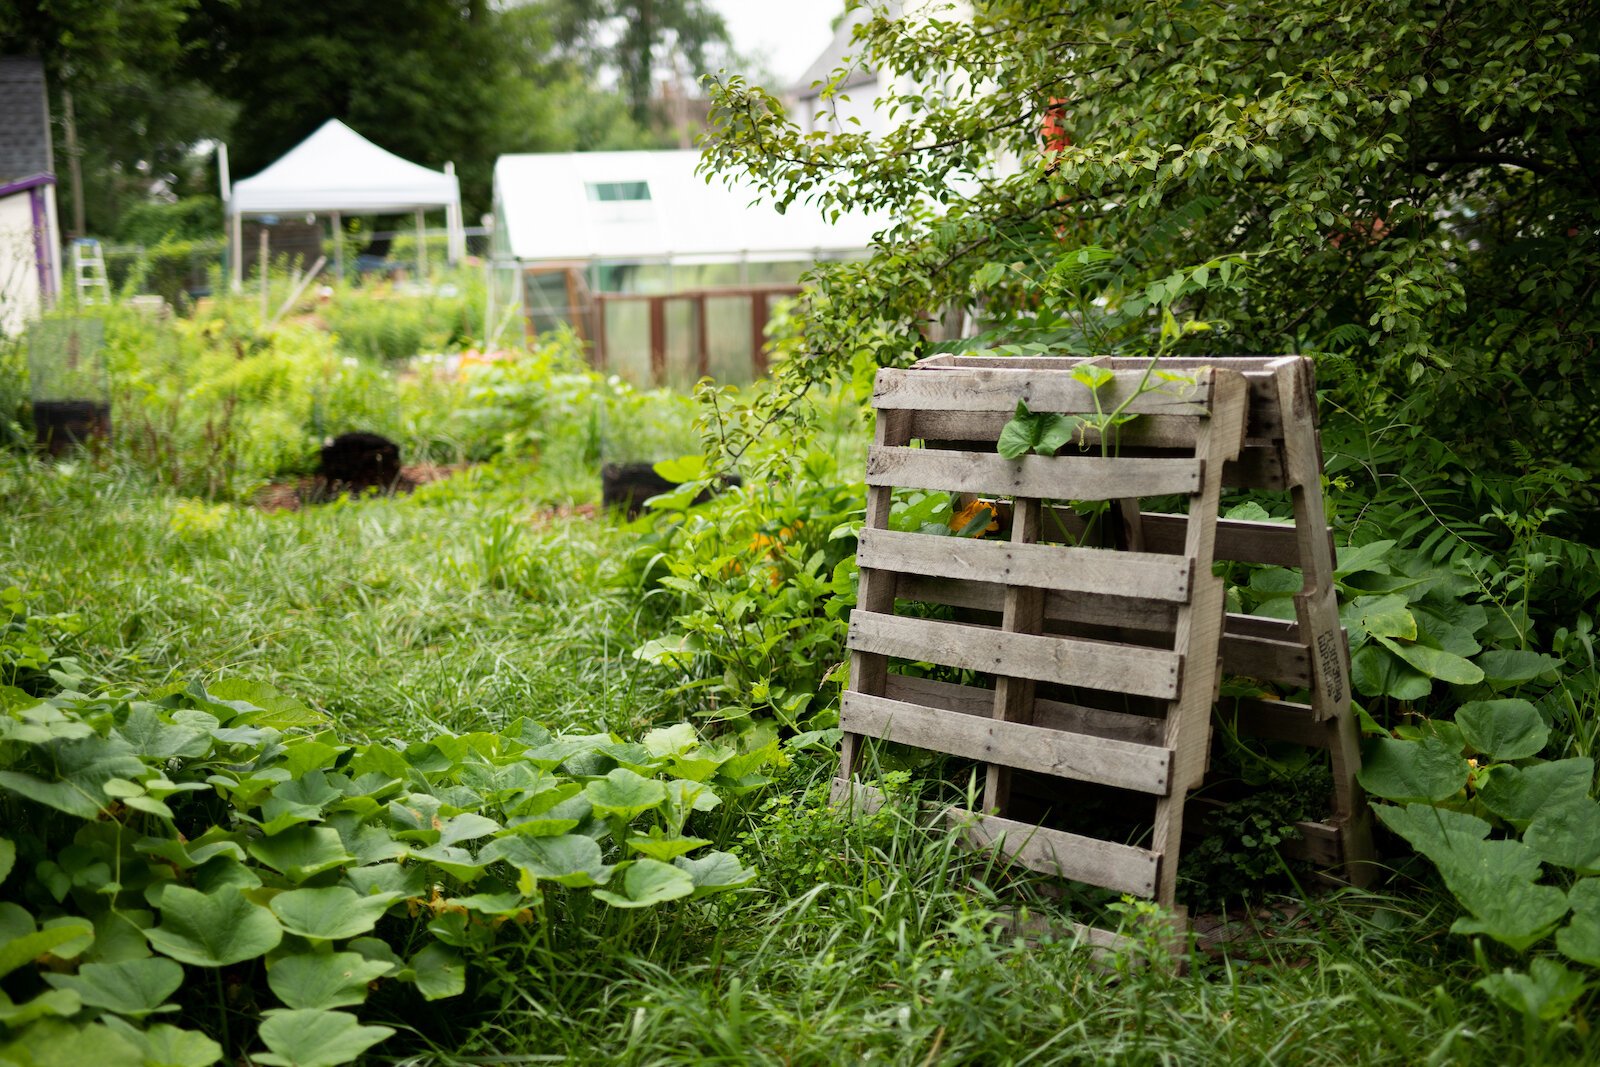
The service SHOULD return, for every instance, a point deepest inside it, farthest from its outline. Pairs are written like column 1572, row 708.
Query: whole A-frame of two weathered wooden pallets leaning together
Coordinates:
column 1087, row 652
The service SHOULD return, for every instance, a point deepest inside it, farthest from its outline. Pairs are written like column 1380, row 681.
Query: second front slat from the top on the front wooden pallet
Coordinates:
column 1057, row 478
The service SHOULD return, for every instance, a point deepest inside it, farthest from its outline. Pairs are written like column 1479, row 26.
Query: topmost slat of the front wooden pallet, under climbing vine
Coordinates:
column 1001, row 390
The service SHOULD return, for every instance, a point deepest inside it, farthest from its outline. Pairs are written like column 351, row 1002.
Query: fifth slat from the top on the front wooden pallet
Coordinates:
column 1060, row 754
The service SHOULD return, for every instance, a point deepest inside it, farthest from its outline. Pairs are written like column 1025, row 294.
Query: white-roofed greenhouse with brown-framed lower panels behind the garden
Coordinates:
column 666, row 274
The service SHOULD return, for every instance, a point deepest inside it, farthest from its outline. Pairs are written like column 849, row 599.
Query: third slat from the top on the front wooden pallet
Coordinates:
column 1095, row 572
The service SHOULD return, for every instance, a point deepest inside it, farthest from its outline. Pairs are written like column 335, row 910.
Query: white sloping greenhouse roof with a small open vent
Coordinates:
column 551, row 209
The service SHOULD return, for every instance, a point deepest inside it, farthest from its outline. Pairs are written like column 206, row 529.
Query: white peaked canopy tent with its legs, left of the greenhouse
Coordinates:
column 338, row 172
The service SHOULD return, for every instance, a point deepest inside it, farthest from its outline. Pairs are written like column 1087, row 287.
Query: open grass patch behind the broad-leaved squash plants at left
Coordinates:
column 390, row 613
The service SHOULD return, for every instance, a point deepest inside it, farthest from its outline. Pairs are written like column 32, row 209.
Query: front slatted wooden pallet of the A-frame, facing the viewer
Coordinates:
column 1145, row 722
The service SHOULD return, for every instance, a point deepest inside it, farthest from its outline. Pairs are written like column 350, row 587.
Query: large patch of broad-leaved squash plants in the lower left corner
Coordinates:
column 230, row 831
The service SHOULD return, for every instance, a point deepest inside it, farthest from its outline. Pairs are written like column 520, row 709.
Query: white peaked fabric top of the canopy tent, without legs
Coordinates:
column 340, row 170
